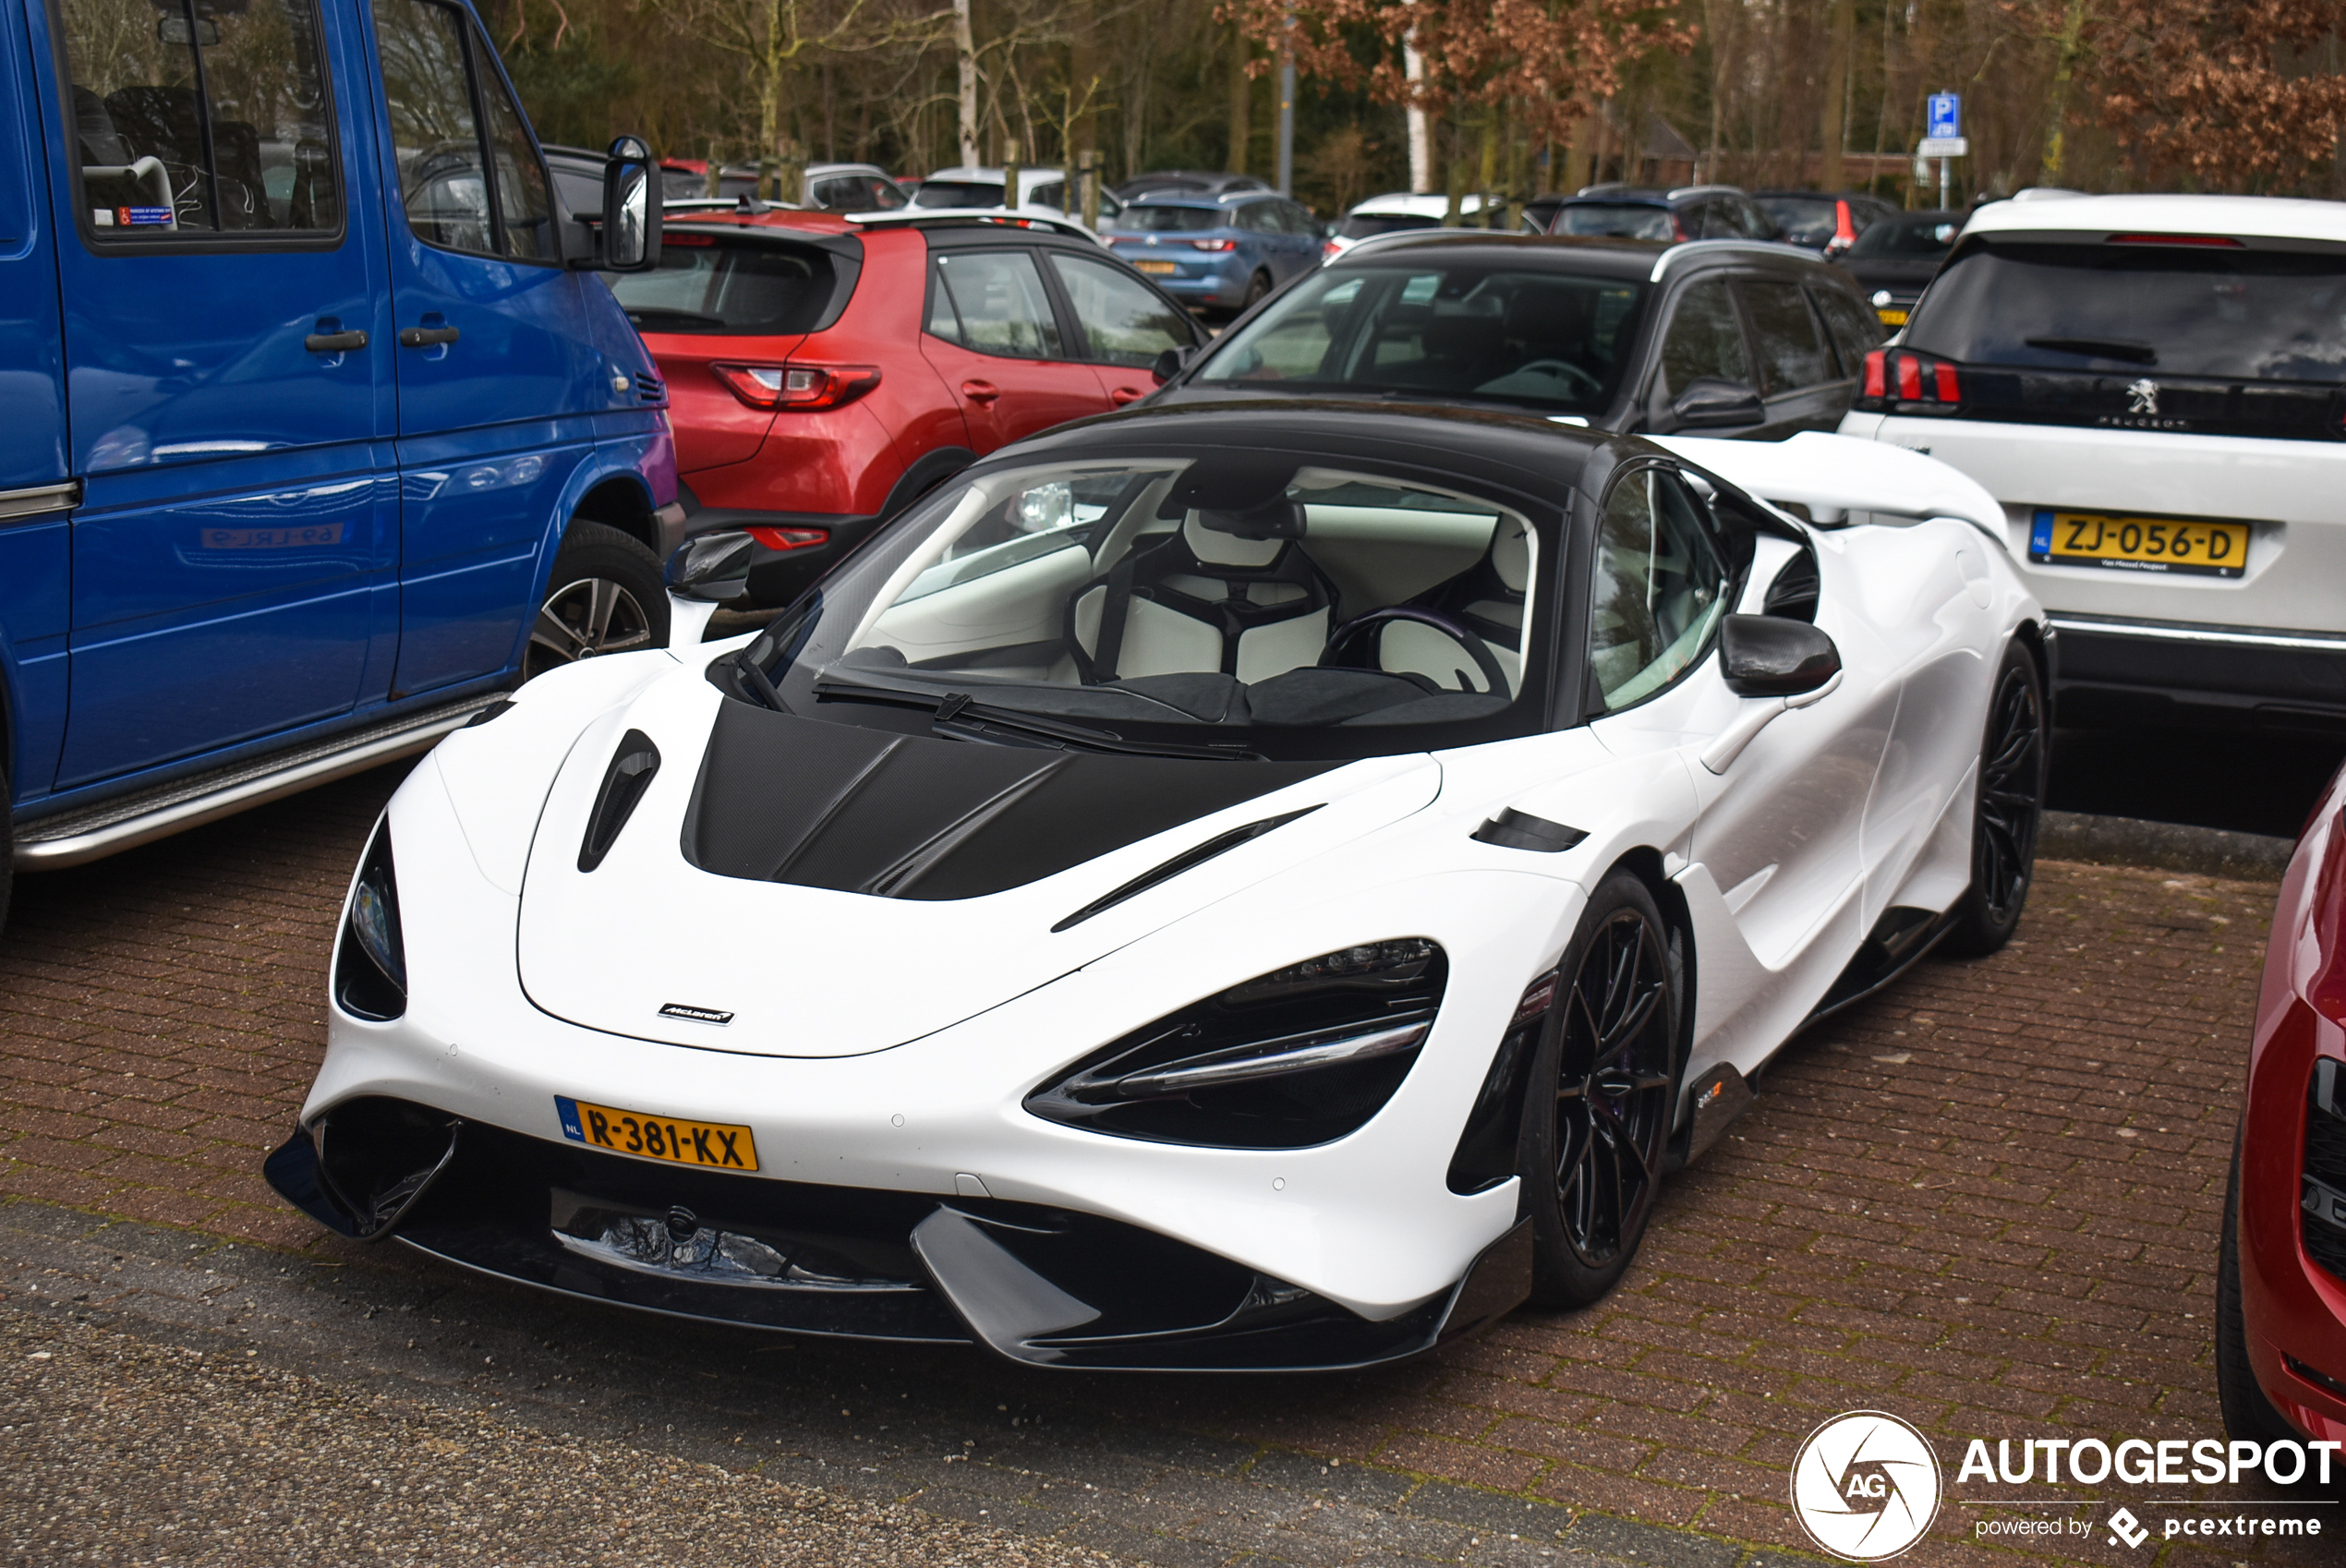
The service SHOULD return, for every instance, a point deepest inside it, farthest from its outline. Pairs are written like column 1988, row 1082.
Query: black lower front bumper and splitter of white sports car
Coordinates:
column 1038, row 1286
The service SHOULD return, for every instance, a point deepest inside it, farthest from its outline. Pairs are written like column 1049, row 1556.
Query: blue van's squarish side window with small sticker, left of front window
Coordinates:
column 201, row 121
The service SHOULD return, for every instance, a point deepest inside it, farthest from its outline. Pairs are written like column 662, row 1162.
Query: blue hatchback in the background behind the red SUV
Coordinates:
column 1219, row 252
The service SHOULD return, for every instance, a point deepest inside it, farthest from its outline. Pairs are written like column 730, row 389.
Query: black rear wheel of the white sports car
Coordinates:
column 2012, row 800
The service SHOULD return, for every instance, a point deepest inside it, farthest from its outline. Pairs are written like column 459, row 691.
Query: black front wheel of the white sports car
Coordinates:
column 1603, row 1091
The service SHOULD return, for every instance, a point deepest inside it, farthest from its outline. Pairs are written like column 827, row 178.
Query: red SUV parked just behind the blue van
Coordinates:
column 825, row 374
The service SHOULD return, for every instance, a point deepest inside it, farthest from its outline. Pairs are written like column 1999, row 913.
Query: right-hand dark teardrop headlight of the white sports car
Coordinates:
column 1287, row 1061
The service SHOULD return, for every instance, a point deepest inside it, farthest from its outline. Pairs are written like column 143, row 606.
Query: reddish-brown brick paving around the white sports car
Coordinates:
column 1986, row 1201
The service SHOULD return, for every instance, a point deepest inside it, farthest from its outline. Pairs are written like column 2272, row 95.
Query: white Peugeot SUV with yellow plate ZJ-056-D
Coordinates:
column 2155, row 393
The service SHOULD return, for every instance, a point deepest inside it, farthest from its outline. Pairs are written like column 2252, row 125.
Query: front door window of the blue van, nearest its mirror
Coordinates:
column 463, row 189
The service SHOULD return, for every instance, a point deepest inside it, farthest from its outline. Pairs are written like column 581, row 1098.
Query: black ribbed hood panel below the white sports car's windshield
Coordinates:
column 909, row 817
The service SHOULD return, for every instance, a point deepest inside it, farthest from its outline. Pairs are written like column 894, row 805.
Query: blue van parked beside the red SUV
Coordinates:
column 316, row 425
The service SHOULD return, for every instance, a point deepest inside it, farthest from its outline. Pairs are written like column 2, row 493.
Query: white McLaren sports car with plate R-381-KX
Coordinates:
column 1207, row 889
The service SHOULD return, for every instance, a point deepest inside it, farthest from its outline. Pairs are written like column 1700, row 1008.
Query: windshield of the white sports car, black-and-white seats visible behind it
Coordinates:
column 1240, row 599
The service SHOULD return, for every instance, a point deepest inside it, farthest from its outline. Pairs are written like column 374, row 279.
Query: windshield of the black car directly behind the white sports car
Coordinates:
column 1484, row 334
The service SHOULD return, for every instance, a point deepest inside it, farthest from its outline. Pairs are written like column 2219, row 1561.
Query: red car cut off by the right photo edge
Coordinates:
column 2281, row 1274
